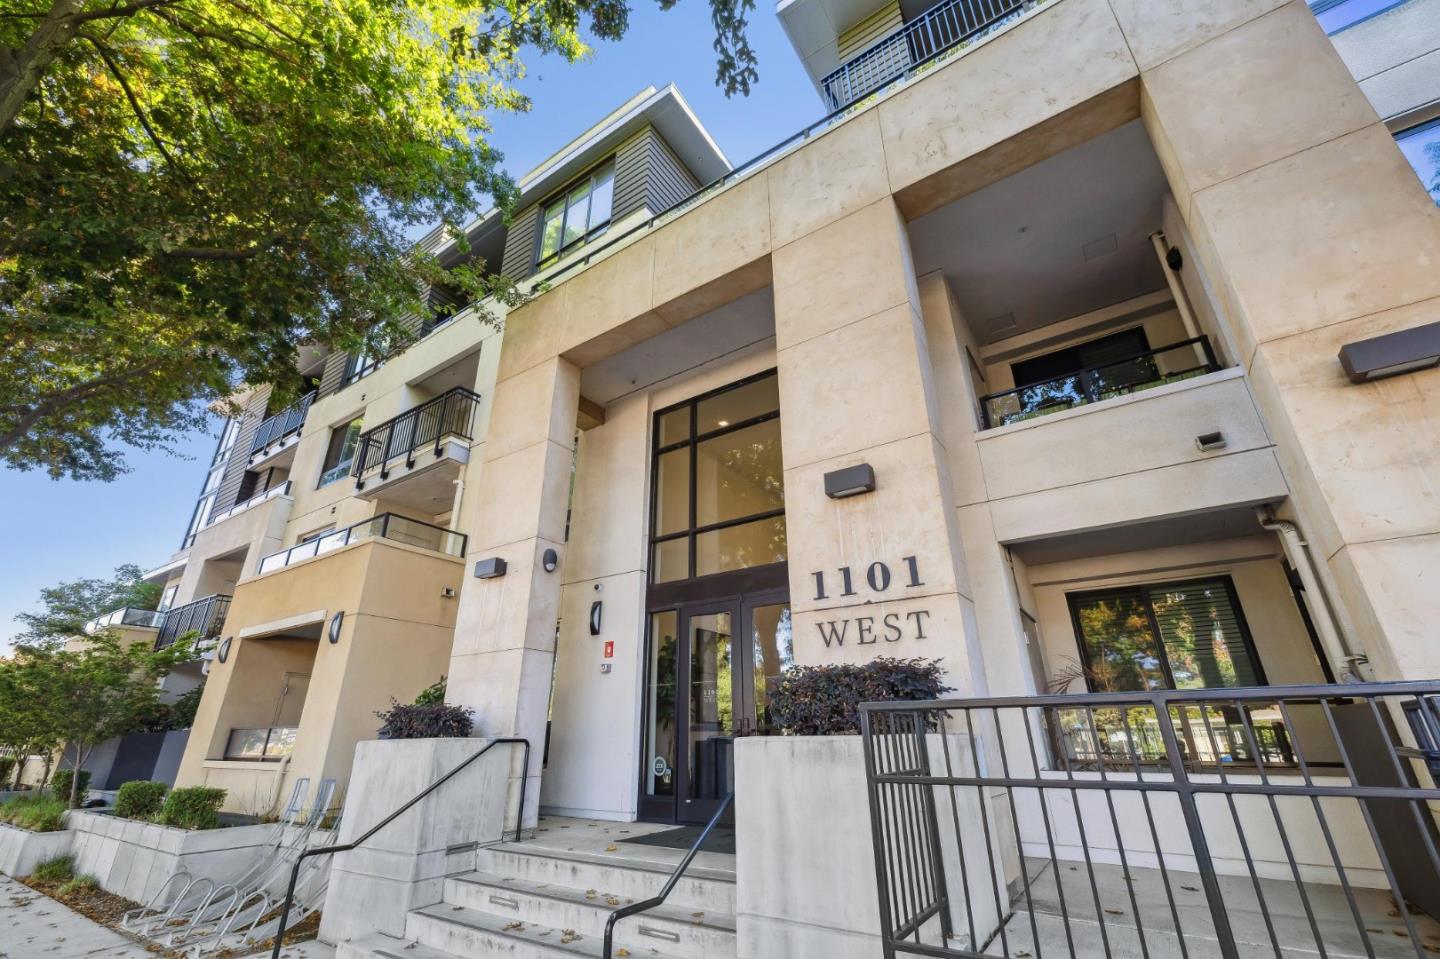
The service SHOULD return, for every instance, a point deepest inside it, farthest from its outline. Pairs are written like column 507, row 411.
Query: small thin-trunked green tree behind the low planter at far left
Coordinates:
column 104, row 689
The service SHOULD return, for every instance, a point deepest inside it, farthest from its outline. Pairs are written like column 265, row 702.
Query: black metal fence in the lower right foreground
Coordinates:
column 1236, row 823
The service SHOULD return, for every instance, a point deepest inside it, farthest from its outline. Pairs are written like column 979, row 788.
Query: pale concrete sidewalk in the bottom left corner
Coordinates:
column 35, row 927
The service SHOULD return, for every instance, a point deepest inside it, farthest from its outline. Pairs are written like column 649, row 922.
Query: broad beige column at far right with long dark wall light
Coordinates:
column 1315, row 234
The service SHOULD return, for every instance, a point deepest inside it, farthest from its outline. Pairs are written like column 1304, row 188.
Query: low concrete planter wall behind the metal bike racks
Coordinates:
column 135, row 859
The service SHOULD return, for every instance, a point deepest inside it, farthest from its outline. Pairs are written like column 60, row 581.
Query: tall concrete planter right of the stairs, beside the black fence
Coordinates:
column 806, row 885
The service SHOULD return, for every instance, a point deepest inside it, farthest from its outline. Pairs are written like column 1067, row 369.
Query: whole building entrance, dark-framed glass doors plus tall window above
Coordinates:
column 719, row 594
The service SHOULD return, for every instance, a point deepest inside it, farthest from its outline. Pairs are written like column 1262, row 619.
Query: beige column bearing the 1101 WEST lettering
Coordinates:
column 881, row 574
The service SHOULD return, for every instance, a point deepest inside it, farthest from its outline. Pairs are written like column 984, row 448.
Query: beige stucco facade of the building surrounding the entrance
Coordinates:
column 1301, row 230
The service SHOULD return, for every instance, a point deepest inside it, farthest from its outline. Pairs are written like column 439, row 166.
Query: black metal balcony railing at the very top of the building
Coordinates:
column 938, row 30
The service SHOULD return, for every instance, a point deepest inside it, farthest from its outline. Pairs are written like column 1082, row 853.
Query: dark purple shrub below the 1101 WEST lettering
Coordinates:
column 824, row 701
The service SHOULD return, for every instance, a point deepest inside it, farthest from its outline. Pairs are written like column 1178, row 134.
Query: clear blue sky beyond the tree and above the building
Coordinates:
column 64, row 531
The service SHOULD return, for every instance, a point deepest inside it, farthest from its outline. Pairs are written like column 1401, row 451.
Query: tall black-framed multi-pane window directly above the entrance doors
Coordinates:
column 719, row 483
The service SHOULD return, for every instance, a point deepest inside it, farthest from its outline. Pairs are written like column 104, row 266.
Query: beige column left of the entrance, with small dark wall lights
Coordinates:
column 505, row 634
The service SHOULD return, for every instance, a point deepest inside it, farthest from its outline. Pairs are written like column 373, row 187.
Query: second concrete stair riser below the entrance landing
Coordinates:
column 695, row 941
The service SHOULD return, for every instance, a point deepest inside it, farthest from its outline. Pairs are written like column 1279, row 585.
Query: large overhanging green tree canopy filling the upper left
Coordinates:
column 195, row 188
